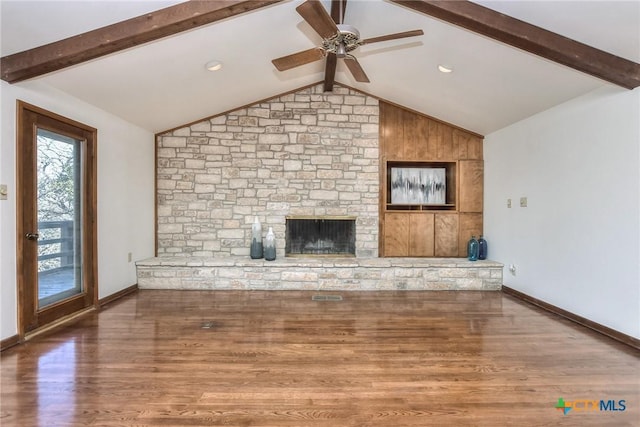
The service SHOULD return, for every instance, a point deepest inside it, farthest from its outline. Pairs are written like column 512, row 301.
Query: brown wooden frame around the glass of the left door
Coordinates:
column 30, row 317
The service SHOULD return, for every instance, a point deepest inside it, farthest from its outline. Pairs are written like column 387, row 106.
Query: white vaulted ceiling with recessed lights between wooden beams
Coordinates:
column 164, row 84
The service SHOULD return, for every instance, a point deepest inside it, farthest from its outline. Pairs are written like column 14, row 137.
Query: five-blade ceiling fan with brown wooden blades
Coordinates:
column 338, row 40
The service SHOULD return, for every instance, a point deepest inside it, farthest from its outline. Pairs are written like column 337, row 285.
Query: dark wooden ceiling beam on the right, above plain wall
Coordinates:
column 533, row 39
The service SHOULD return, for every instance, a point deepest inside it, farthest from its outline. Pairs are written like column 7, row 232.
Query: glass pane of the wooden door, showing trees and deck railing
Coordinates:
column 59, row 209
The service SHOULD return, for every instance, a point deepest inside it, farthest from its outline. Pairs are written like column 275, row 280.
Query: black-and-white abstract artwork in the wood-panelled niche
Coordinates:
column 416, row 185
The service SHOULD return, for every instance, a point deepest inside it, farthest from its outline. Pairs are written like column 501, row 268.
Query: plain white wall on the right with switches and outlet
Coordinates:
column 576, row 245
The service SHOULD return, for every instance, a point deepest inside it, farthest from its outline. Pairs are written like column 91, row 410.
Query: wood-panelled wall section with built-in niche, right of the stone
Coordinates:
column 441, row 229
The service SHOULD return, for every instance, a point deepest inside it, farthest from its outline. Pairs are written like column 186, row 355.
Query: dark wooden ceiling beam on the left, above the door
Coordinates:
column 122, row 35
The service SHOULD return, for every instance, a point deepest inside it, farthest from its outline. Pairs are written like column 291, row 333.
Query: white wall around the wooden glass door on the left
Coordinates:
column 125, row 192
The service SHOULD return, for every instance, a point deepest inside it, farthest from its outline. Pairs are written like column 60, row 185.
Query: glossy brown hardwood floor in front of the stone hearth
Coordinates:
column 236, row 358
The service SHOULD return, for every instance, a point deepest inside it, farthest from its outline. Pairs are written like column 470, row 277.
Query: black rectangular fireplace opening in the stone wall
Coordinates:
column 320, row 236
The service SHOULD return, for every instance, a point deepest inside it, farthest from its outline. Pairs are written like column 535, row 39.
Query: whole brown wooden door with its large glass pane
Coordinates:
column 56, row 223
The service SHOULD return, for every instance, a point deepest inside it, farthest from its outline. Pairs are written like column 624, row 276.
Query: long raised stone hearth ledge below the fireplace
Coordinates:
column 321, row 273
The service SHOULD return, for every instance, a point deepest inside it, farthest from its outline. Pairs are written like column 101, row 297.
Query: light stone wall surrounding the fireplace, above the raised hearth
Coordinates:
column 306, row 153
